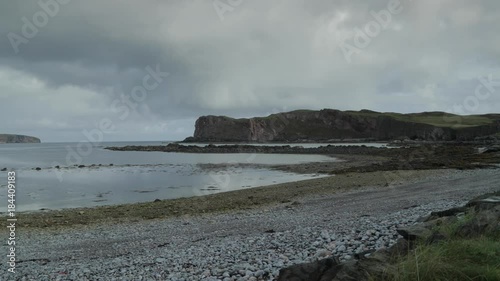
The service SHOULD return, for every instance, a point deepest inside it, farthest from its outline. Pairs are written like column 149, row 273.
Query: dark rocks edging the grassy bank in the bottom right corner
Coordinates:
column 376, row 265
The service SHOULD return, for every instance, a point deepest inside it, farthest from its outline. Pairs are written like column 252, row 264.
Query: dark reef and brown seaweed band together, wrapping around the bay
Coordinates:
column 362, row 167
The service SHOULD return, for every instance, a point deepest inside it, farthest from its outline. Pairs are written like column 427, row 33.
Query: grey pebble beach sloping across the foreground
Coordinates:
column 244, row 244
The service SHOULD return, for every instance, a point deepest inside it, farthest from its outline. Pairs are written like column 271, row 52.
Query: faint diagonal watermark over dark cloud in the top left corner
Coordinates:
column 40, row 19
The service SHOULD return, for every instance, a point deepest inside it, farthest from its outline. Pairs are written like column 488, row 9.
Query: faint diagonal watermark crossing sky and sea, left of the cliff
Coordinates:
column 123, row 107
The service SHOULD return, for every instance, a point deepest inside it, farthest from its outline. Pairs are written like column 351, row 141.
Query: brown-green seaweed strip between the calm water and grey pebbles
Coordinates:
column 245, row 199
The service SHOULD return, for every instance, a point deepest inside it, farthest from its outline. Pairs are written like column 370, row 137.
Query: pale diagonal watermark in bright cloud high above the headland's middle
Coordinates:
column 363, row 36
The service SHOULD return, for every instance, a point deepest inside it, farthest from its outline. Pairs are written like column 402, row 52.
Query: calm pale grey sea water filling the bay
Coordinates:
column 133, row 176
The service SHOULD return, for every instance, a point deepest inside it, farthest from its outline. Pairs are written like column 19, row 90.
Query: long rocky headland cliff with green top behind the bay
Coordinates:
column 328, row 124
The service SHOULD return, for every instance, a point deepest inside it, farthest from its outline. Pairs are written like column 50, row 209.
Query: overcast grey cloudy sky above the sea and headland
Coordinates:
column 127, row 70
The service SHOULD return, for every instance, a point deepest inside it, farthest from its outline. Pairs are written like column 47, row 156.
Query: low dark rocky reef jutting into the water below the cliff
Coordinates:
column 413, row 157
